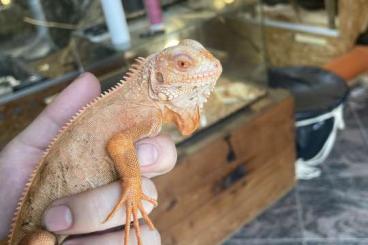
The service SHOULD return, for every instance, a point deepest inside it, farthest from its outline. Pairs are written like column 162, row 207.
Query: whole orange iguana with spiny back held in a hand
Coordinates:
column 97, row 146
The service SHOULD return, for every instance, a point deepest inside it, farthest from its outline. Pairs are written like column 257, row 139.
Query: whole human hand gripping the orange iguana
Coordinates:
column 81, row 213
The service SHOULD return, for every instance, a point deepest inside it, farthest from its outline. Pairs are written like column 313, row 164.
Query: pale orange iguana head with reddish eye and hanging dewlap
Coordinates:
column 181, row 78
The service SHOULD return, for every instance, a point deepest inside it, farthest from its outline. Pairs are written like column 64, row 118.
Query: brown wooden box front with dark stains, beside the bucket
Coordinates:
column 228, row 174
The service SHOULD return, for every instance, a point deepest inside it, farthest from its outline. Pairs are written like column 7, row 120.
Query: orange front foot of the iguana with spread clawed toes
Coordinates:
column 132, row 196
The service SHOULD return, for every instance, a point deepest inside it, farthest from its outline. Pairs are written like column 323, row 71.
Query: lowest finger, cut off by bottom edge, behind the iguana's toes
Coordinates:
column 148, row 236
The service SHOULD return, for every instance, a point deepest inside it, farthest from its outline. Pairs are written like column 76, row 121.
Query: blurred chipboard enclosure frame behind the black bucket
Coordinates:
column 287, row 47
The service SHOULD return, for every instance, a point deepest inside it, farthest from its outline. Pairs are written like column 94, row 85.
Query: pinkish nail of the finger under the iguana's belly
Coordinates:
column 58, row 218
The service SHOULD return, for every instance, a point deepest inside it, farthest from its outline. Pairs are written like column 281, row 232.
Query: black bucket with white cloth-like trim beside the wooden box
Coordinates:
column 319, row 98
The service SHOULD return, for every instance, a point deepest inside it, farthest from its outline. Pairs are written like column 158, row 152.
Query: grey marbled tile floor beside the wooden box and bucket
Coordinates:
column 331, row 209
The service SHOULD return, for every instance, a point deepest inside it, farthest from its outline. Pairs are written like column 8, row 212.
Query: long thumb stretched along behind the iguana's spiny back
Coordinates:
column 29, row 145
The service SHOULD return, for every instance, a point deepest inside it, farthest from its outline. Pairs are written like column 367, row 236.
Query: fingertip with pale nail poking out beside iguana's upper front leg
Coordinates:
column 156, row 155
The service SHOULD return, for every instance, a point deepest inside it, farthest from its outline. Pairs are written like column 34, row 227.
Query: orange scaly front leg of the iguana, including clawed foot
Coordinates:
column 122, row 151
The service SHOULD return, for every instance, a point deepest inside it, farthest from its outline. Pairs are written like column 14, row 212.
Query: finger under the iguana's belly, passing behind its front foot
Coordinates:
column 85, row 212
